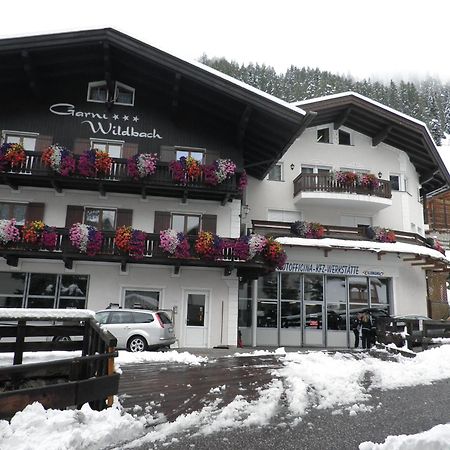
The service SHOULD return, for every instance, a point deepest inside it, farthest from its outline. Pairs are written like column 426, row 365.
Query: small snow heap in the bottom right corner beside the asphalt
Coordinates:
column 438, row 438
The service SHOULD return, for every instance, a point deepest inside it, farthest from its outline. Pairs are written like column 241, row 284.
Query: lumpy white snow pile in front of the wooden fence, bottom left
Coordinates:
column 38, row 428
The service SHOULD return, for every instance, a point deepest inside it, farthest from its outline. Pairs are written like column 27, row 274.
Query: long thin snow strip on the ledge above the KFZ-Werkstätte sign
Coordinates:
column 397, row 247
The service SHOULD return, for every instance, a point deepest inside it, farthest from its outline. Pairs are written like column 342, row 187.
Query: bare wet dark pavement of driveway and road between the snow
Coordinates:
column 401, row 411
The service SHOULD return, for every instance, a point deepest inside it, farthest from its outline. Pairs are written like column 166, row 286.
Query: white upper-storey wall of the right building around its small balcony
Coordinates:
column 405, row 210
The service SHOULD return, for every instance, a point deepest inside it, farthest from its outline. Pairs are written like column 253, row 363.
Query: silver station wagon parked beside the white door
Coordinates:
column 138, row 330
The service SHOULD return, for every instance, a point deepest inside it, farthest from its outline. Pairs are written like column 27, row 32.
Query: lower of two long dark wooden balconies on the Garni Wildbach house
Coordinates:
column 153, row 254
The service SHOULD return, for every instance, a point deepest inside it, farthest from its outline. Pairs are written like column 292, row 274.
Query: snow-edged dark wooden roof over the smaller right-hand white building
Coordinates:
column 383, row 124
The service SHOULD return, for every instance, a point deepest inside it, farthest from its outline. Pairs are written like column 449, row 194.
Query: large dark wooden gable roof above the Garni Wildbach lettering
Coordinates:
column 261, row 125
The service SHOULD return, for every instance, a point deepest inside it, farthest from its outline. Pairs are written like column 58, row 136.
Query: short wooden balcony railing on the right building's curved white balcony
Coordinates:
column 326, row 182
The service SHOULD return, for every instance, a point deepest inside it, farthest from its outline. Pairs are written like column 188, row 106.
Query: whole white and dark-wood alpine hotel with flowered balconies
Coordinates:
column 141, row 110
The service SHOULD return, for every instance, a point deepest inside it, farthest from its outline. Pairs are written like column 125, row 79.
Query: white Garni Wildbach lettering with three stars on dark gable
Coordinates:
column 105, row 124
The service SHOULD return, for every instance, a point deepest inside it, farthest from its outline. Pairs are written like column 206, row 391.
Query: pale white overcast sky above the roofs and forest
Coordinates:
column 365, row 38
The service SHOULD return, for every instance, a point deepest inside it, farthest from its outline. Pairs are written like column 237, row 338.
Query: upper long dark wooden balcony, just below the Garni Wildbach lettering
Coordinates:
column 34, row 173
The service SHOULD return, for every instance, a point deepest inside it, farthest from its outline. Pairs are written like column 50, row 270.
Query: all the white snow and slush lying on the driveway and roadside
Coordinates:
column 335, row 382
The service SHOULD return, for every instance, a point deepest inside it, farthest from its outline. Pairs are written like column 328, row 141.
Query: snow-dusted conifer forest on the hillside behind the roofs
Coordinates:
column 427, row 100
